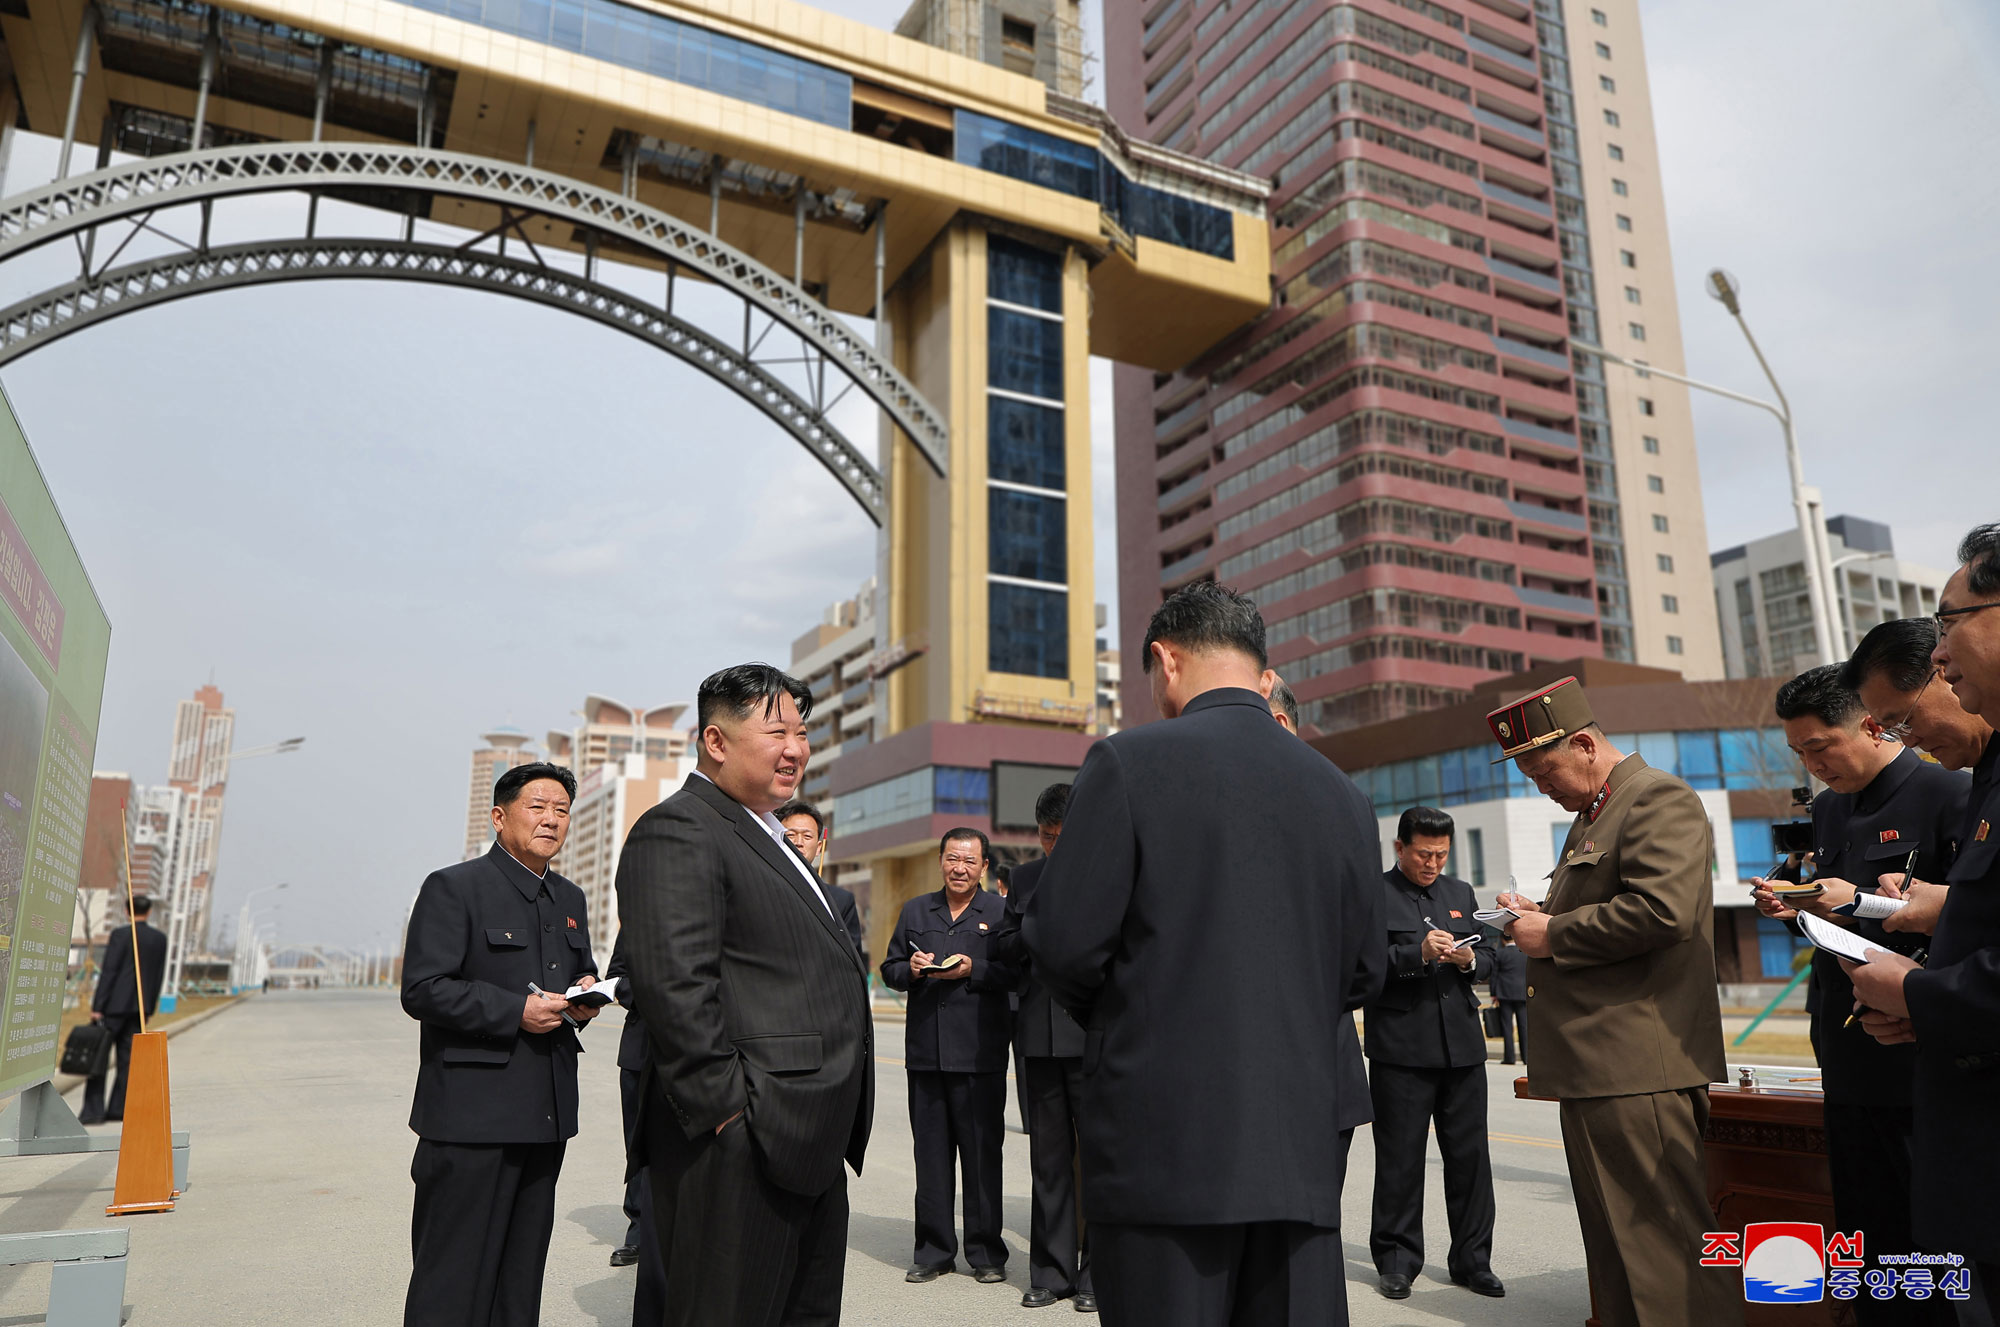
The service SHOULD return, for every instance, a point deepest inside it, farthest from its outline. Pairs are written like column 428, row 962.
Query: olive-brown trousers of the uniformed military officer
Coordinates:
column 1641, row 1184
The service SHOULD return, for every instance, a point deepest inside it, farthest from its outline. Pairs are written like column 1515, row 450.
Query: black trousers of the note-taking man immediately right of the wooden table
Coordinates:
column 1869, row 1164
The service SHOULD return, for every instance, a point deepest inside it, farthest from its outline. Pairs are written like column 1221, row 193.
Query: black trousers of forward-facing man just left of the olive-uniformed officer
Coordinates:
column 1407, row 1102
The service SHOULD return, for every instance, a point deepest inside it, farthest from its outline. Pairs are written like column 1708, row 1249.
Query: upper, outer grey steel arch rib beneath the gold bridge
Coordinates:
column 139, row 191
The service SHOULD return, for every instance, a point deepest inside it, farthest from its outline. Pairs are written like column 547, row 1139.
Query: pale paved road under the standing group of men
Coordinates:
column 301, row 1196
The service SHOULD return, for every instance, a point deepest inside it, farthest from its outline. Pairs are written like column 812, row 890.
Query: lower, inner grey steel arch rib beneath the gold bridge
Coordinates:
column 137, row 287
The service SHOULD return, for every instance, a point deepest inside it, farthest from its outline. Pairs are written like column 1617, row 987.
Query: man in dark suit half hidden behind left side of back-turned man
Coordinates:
column 1051, row 1066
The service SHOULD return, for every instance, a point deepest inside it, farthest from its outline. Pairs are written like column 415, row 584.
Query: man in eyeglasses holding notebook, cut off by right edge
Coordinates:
column 1951, row 1006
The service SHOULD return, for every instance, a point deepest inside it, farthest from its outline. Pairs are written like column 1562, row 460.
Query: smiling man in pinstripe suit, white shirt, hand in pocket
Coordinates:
column 761, row 1076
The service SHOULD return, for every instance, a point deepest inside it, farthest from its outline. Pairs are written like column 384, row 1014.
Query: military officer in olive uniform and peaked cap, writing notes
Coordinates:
column 1625, row 1012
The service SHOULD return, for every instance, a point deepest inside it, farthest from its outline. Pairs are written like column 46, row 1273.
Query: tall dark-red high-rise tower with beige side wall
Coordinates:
column 1403, row 463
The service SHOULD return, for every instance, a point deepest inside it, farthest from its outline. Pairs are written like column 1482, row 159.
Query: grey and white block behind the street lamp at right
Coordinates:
column 1765, row 613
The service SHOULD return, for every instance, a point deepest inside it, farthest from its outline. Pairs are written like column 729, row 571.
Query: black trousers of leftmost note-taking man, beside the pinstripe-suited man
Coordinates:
column 479, row 1234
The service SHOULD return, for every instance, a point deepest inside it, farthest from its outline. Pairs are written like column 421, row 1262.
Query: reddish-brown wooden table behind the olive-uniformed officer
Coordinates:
column 1767, row 1162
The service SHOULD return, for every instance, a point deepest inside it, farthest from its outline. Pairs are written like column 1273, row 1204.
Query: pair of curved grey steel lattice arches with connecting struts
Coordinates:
column 137, row 193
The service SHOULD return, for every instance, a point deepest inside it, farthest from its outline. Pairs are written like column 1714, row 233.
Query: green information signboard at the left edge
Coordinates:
column 55, row 641
